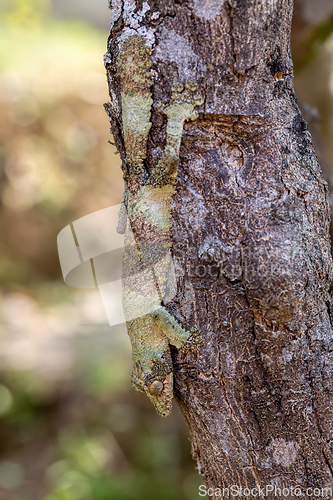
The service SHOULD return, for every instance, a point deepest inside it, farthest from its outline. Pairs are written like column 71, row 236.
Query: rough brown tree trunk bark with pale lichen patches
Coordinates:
column 250, row 239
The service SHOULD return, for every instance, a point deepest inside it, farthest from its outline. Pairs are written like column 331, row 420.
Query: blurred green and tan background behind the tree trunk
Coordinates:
column 71, row 427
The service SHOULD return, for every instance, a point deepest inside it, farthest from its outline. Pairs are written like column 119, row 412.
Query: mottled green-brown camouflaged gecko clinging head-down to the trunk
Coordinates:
column 147, row 262
